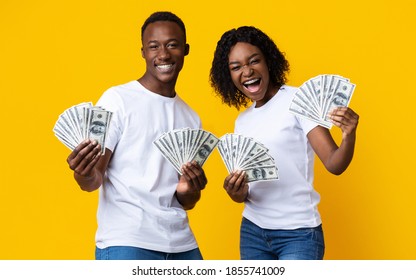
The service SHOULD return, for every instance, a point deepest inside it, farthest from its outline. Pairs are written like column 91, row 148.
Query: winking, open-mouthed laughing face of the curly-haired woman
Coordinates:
column 250, row 73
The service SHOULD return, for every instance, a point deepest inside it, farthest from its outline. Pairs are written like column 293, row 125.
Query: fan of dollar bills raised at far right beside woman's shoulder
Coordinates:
column 318, row 96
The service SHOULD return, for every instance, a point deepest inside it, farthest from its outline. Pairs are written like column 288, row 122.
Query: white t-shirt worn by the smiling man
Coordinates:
column 137, row 206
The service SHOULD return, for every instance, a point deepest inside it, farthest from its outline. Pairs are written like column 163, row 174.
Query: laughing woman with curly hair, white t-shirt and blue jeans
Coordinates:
column 280, row 218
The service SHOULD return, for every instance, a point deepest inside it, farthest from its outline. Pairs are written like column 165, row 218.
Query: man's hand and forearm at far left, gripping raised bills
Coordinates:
column 89, row 165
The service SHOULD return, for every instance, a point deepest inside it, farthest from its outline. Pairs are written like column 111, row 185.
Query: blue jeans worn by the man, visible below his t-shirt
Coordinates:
column 134, row 253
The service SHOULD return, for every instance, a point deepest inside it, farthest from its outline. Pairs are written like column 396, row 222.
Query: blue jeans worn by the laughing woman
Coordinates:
column 257, row 243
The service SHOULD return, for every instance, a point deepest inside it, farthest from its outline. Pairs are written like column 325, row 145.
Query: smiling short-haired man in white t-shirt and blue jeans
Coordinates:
column 142, row 199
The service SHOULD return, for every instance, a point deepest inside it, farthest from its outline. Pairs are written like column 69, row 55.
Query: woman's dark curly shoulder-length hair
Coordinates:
column 220, row 76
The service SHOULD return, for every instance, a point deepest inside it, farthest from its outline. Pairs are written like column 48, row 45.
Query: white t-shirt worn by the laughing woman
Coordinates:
column 290, row 202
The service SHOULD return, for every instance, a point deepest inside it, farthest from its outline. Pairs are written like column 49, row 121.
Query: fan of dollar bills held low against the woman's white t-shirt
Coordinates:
column 244, row 153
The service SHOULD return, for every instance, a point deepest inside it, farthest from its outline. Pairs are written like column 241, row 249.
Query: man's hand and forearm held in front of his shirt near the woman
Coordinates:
column 193, row 180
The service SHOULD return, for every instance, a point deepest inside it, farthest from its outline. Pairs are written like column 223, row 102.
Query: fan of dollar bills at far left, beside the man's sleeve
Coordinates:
column 80, row 122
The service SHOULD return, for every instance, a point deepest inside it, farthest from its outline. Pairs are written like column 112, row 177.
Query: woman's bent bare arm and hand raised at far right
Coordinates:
column 336, row 158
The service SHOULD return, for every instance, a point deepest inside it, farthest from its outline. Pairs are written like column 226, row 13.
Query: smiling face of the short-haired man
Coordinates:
column 164, row 50
